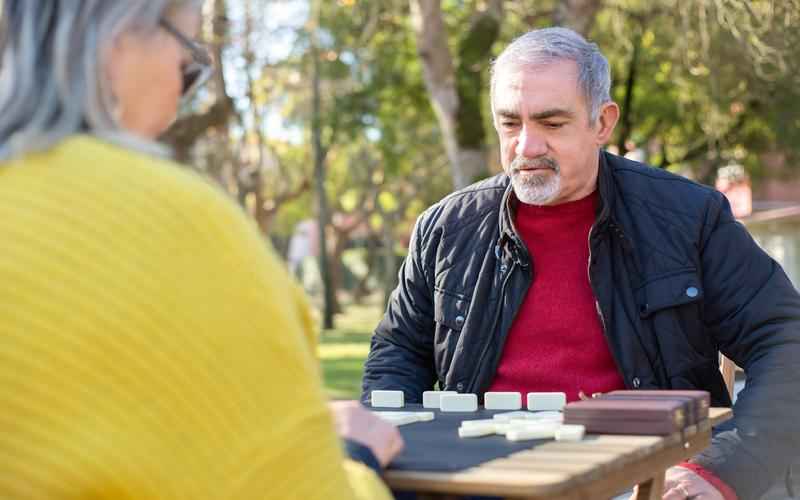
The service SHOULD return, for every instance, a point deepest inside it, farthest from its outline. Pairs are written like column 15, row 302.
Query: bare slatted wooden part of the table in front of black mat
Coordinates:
column 600, row 466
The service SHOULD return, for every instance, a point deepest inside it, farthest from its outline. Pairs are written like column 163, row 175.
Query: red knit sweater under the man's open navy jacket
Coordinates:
column 556, row 342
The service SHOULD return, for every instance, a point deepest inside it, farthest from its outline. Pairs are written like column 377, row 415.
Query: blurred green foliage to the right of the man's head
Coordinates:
column 686, row 97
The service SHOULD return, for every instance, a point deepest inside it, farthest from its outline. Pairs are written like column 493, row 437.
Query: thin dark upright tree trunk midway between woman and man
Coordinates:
column 319, row 178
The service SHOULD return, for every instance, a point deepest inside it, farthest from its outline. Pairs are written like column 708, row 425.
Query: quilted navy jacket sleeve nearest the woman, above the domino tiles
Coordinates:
column 401, row 354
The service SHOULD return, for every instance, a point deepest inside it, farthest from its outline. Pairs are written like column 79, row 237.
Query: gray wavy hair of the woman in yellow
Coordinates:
column 52, row 82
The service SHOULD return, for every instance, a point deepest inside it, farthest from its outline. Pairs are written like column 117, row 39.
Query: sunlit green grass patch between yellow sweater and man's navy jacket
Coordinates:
column 342, row 351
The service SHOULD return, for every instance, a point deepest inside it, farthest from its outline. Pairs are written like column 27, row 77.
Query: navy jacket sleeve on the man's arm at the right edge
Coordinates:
column 753, row 311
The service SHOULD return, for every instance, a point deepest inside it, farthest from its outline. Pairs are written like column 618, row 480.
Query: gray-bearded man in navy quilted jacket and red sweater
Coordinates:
column 580, row 271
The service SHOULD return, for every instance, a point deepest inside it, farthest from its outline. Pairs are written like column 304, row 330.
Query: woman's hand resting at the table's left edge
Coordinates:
column 355, row 422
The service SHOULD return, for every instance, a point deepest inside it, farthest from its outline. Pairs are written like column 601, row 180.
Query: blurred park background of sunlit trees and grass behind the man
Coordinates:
column 335, row 123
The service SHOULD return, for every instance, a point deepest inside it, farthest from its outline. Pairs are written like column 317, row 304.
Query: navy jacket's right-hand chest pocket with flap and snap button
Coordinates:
column 670, row 307
